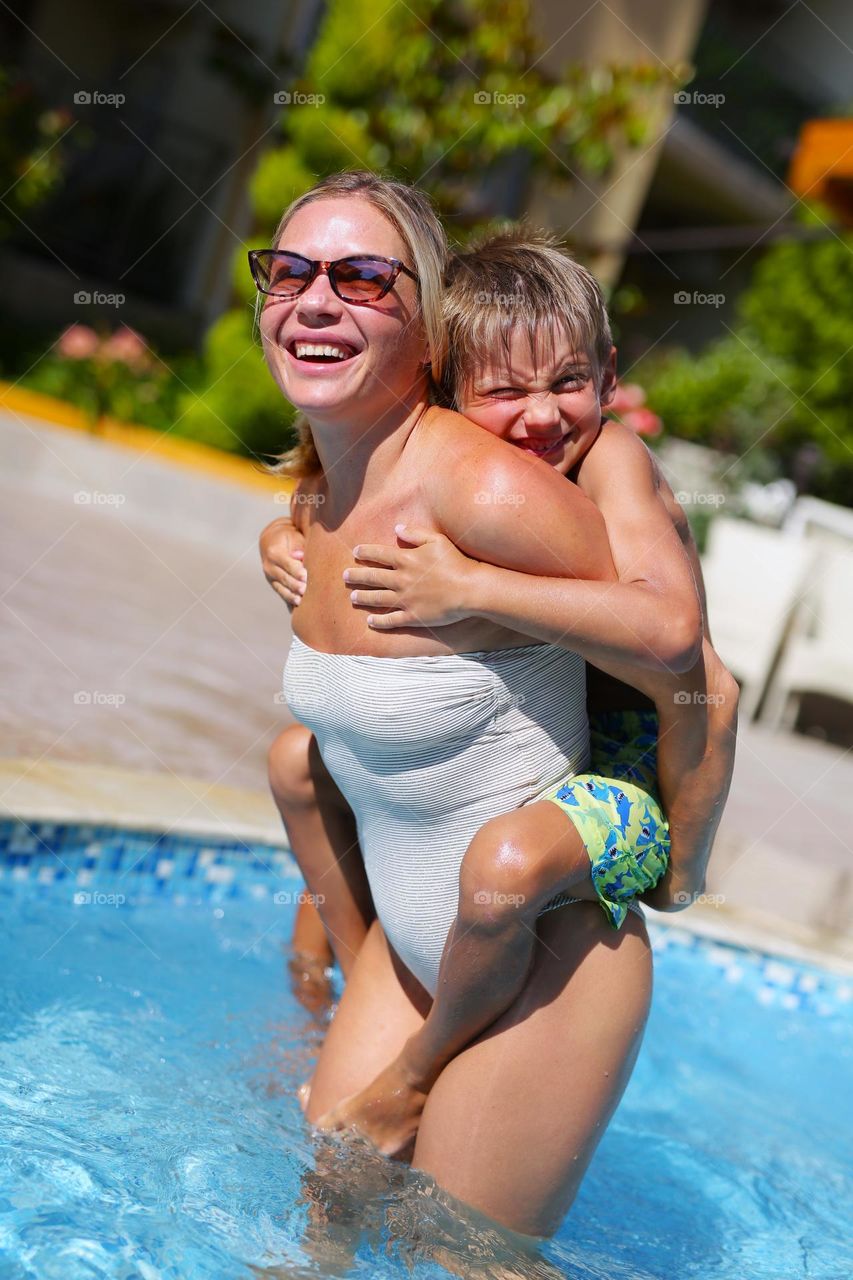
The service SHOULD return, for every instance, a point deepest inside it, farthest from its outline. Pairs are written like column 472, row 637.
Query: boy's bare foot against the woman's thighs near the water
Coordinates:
column 387, row 1113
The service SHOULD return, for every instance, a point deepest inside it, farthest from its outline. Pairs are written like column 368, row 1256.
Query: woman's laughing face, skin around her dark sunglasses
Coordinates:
column 375, row 354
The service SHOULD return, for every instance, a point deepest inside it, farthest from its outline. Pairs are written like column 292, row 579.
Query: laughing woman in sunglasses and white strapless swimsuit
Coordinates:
column 514, row 1119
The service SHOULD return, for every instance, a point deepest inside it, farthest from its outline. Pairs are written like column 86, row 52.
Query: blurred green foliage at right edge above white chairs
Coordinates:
column 783, row 378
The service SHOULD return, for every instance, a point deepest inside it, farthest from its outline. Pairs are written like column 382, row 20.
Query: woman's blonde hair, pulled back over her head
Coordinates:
column 414, row 220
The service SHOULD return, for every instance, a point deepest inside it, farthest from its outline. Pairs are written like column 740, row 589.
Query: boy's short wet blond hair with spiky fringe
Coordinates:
column 519, row 280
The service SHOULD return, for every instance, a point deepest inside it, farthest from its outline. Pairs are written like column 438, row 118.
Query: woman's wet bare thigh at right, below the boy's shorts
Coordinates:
column 513, row 1122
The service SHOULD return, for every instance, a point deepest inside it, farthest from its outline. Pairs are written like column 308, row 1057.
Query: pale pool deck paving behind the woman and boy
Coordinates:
column 143, row 674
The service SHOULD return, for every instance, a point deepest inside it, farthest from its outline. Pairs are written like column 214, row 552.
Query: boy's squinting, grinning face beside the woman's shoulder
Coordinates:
column 550, row 408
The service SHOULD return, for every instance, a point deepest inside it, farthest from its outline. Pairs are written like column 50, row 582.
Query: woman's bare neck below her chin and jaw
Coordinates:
column 357, row 464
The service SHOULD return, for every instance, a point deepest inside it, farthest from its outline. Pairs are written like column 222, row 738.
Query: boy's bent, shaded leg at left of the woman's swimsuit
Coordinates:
column 322, row 831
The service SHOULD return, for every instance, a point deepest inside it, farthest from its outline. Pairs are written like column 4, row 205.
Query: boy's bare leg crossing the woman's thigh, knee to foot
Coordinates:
column 513, row 870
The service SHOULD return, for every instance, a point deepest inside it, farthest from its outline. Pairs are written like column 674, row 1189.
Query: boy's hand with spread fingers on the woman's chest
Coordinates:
column 422, row 586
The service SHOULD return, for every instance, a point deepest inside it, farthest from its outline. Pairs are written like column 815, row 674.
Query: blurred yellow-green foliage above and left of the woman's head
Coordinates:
column 445, row 94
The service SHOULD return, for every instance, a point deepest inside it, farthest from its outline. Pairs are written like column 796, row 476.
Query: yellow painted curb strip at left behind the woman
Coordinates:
column 143, row 440
